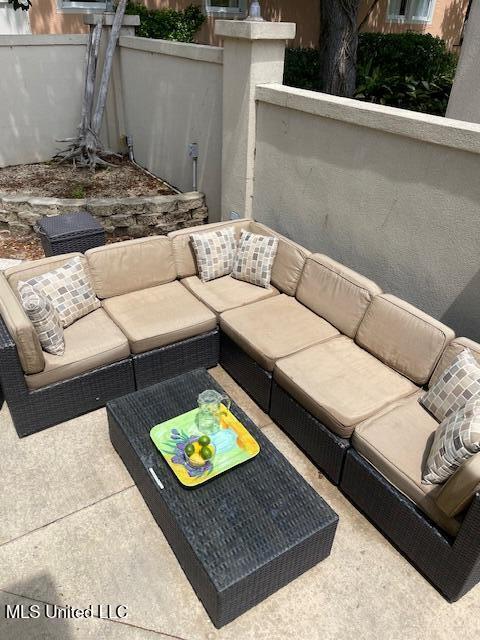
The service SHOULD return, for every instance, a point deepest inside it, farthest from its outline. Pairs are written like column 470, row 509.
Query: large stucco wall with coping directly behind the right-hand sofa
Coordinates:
column 393, row 194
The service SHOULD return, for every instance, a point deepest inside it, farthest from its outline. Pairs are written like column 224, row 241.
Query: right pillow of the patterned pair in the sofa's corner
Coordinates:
column 255, row 258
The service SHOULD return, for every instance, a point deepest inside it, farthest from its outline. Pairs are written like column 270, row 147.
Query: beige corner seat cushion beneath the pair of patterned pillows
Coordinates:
column 226, row 293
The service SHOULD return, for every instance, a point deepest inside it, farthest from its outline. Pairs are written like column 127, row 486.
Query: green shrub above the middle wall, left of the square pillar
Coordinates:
column 167, row 24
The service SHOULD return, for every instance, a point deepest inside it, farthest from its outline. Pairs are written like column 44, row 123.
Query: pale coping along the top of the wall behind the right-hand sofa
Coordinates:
column 456, row 134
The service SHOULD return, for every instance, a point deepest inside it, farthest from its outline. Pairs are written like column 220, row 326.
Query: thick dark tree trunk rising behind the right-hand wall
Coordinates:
column 338, row 46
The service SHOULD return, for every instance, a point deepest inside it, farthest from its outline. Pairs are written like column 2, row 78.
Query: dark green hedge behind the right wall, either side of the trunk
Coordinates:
column 406, row 70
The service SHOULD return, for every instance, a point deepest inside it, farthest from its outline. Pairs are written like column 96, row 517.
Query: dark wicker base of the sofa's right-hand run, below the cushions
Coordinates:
column 450, row 564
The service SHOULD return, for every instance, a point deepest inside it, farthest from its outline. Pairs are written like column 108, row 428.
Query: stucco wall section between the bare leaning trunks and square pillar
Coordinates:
column 172, row 97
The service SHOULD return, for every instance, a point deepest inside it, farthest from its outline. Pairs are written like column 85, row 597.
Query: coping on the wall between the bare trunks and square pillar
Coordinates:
column 199, row 52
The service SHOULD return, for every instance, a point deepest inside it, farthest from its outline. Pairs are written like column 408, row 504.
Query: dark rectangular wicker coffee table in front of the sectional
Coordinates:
column 239, row 537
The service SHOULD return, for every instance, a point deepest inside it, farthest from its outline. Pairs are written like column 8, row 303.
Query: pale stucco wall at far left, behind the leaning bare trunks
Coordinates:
column 40, row 88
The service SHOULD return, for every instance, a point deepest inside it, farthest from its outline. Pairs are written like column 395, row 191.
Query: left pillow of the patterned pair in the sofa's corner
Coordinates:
column 215, row 253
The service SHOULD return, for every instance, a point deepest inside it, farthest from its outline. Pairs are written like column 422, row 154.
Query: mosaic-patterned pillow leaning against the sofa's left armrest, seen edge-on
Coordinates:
column 44, row 319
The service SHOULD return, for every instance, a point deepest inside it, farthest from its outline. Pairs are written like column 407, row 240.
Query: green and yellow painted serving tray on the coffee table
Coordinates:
column 232, row 445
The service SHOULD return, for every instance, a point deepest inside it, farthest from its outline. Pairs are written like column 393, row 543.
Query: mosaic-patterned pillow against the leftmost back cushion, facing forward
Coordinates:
column 69, row 290
